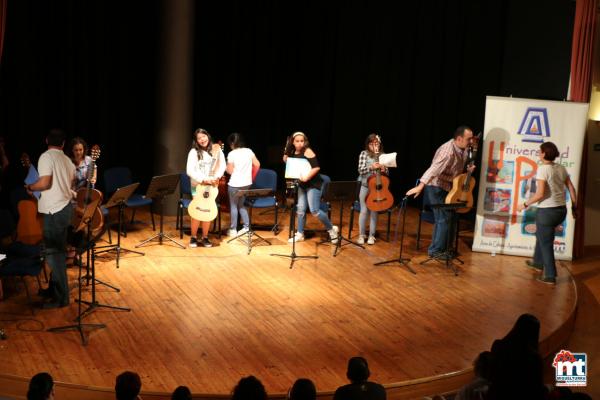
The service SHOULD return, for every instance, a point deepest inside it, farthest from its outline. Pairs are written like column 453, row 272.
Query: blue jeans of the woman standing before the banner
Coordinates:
column 546, row 220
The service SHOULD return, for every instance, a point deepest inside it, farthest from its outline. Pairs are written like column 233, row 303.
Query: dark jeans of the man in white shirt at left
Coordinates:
column 55, row 240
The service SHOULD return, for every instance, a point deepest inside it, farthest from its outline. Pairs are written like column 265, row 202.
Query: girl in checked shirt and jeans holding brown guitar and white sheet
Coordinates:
column 368, row 163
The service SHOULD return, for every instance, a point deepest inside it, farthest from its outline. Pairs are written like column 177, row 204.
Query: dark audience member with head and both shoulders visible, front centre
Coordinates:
column 359, row 388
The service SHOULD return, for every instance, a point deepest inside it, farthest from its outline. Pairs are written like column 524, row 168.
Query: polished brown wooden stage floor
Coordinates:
column 206, row 317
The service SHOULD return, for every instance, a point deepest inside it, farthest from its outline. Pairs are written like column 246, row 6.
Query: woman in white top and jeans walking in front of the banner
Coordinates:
column 551, row 181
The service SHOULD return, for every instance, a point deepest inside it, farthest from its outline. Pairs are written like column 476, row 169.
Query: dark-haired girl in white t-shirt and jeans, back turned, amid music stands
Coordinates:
column 240, row 162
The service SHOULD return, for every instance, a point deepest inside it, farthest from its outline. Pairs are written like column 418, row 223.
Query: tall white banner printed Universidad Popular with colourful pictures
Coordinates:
column 514, row 129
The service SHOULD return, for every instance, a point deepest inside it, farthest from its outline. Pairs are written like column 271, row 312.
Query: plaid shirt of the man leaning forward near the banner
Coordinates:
column 448, row 162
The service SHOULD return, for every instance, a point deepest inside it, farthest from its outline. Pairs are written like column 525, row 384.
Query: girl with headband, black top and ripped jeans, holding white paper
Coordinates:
column 309, row 187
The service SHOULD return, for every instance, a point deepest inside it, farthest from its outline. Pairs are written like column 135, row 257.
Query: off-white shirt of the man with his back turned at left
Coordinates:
column 55, row 163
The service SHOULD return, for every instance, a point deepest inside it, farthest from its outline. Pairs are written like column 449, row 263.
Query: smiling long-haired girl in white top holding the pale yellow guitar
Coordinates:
column 205, row 166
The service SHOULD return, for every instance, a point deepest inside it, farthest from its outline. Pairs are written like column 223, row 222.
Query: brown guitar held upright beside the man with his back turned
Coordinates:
column 87, row 195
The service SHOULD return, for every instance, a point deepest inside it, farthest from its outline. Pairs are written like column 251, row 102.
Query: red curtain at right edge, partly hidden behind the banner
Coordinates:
column 581, row 78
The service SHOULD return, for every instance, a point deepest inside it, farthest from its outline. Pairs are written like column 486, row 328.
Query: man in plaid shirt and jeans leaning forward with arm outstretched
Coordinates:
column 448, row 162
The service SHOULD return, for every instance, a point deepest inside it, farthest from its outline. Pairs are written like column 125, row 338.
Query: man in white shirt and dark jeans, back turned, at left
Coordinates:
column 56, row 175
